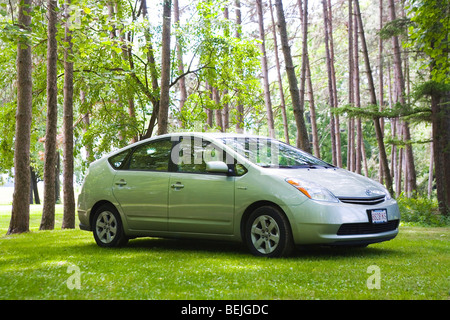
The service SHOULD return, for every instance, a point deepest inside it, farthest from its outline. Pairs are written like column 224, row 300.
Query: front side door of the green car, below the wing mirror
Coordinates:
column 200, row 202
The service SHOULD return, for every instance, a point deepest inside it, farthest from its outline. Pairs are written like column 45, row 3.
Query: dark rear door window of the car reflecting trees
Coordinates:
column 153, row 156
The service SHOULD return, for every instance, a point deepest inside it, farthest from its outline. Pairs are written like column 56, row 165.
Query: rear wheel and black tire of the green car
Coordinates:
column 108, row 228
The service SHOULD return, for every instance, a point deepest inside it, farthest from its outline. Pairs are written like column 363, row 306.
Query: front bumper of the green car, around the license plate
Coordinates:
column 342, row 224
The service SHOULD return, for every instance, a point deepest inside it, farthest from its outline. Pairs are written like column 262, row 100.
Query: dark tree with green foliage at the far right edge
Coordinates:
column 429, row 33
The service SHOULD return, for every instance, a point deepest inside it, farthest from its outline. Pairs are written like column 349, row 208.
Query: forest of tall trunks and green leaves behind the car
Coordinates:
column 361, row 84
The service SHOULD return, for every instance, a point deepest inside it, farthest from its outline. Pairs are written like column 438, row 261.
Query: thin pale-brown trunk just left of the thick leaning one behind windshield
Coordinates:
column 265, row 73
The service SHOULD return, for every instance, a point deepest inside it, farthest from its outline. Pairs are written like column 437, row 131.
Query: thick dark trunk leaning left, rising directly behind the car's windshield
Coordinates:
column 302, row 134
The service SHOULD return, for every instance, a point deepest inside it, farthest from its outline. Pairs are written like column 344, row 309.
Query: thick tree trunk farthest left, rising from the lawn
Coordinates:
column 20, row 214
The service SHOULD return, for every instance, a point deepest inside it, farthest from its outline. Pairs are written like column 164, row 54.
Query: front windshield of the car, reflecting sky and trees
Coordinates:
column 270, row 153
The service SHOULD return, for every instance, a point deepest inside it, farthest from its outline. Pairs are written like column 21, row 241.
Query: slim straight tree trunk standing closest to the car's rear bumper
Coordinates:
column 68, row 190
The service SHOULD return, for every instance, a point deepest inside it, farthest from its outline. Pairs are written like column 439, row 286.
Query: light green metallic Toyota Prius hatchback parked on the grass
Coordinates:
column 233, row 187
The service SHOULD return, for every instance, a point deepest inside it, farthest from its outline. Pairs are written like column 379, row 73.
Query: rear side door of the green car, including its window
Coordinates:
column 141, row 187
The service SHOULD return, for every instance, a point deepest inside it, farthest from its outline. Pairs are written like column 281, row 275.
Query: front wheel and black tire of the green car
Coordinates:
column 268, row 233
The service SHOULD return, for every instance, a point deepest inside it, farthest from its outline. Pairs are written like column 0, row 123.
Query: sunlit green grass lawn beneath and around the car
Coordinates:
column 35, row 265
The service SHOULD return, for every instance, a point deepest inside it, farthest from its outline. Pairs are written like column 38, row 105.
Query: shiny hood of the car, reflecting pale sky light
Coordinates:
column 340, row 182
